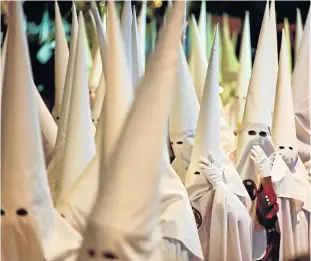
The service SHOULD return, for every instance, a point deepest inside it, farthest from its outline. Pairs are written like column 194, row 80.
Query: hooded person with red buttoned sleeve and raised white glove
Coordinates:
column 255, row 146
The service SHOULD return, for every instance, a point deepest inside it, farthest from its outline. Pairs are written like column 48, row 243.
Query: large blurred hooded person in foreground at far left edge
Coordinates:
column 31, row 228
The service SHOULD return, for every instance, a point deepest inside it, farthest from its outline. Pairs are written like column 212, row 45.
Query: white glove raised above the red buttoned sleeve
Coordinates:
column 261, row 161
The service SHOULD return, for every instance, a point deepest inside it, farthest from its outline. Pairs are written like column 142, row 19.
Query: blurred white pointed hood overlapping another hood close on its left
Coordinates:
column 79, row 147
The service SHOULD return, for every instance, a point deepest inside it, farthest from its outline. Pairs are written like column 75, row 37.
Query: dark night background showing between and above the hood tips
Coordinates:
column 44, row 73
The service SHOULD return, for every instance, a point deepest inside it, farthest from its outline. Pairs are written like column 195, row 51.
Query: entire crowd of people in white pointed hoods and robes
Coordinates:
column 93, row 179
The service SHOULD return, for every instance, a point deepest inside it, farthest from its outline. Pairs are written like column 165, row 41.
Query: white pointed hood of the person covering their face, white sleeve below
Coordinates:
column 208, row 136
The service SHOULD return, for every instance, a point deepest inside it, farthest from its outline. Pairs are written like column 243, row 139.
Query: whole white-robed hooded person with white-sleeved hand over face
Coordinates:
column 223, row 222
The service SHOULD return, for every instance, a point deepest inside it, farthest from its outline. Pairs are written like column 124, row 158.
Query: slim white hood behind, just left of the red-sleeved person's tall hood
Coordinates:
column 245, row 71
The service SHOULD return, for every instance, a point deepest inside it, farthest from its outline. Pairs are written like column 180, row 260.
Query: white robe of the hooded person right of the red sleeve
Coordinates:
column 293, row 214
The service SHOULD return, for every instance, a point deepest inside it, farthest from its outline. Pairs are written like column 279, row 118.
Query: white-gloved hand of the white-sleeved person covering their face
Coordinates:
column 211, row 169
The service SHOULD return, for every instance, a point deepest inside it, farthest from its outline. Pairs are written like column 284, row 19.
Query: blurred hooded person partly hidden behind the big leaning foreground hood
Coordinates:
column 77, row 204
